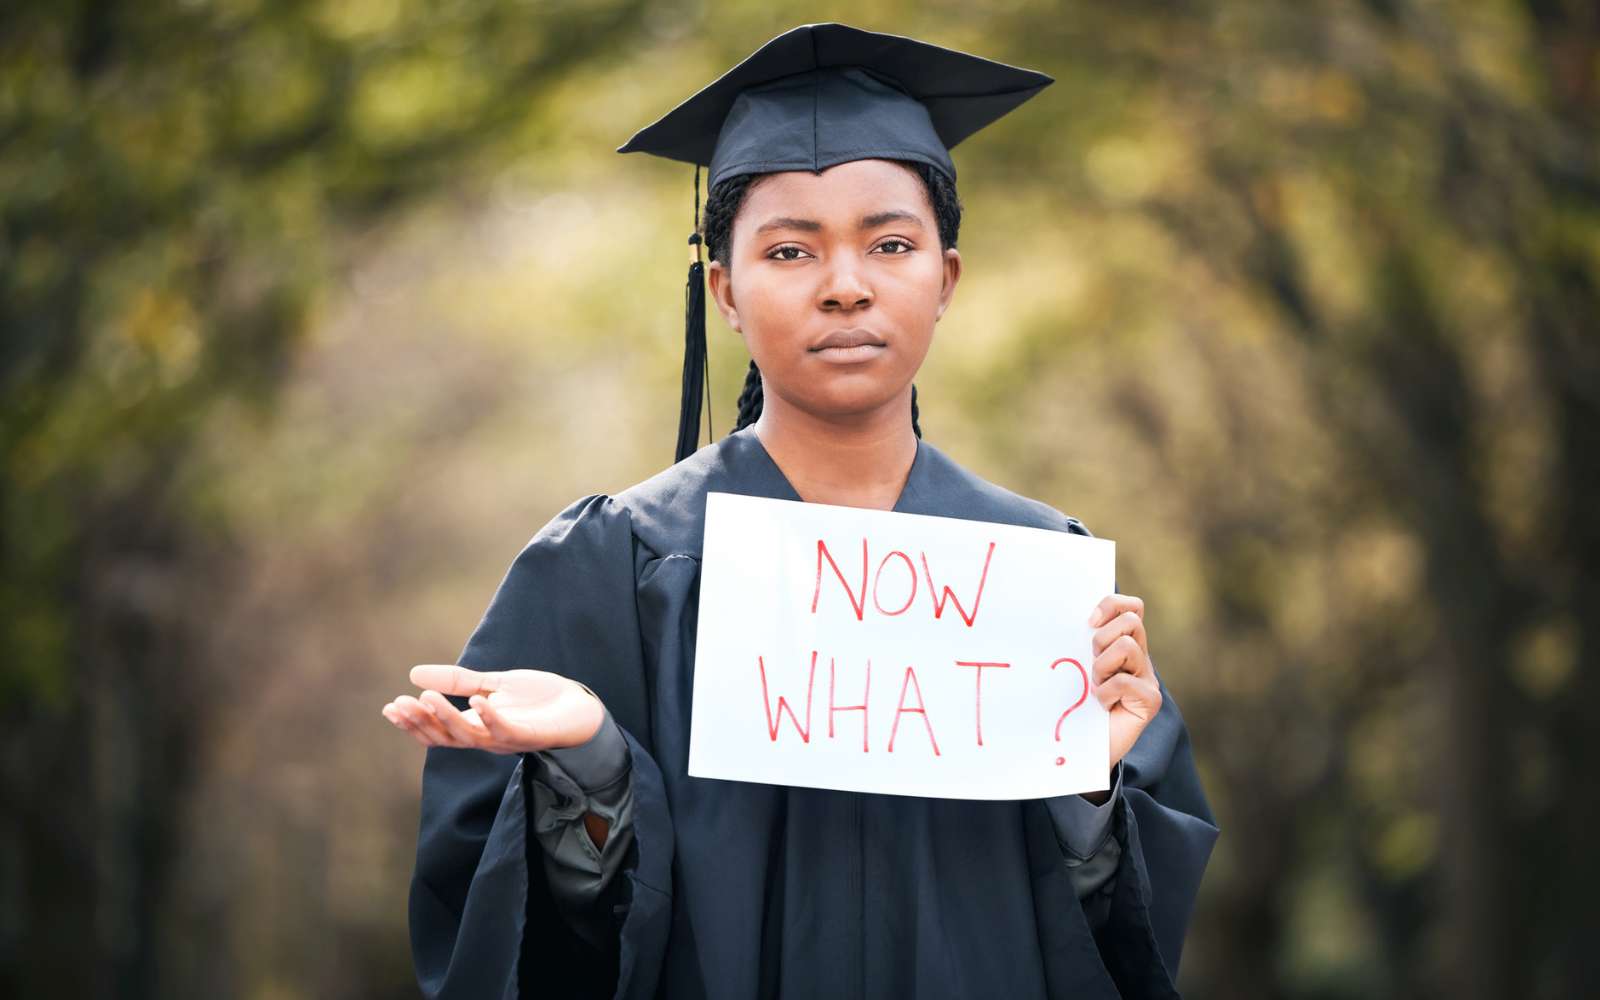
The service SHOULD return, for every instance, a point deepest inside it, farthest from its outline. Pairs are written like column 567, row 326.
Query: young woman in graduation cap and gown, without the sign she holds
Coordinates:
column 564, row 849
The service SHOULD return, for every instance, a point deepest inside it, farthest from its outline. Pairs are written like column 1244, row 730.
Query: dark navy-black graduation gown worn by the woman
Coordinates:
column 738, row 890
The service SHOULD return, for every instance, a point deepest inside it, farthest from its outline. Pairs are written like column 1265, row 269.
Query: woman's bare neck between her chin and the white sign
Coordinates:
column 857, row 462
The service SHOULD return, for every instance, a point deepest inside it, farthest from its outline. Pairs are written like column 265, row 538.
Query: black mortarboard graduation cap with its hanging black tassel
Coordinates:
column 810, row 98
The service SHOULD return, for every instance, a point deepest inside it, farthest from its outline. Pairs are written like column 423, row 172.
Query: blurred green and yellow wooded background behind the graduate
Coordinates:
column 311, row 314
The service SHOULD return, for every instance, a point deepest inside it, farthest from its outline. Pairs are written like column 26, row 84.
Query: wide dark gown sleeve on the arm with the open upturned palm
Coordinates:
column 484, row 921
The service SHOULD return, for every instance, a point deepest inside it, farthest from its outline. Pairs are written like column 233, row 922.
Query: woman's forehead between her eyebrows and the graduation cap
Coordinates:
column 844, row 190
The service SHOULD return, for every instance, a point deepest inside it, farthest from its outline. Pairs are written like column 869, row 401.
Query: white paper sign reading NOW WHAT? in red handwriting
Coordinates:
column 881, row 652
